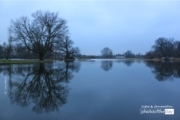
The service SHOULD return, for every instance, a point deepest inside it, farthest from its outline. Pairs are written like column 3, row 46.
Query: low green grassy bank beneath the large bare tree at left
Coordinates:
column 27, row 61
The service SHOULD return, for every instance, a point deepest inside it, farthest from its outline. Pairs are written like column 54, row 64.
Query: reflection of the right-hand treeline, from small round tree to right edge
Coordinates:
column 162, row 70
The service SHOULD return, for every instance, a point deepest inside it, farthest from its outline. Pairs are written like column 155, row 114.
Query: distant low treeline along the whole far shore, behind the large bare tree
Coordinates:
column 163, row 47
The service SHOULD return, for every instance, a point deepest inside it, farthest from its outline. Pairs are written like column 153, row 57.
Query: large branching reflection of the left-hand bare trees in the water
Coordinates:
column 44, row 85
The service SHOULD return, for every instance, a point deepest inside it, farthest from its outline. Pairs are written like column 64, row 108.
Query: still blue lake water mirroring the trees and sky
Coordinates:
column 90, row 90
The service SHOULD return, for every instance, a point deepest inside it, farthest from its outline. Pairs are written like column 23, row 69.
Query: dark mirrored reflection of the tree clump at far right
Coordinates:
column 164, row 70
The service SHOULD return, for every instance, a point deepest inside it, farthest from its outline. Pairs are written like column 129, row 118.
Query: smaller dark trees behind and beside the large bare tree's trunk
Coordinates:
column 18, row 50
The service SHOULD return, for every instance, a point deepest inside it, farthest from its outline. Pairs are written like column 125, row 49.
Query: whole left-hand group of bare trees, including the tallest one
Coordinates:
column 42, row 36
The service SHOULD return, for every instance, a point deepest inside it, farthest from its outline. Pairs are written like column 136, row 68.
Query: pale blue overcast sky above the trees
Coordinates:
column 93, row 25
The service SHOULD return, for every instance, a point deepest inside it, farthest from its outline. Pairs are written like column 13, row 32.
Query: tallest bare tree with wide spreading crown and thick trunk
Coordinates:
column 39, row 34
